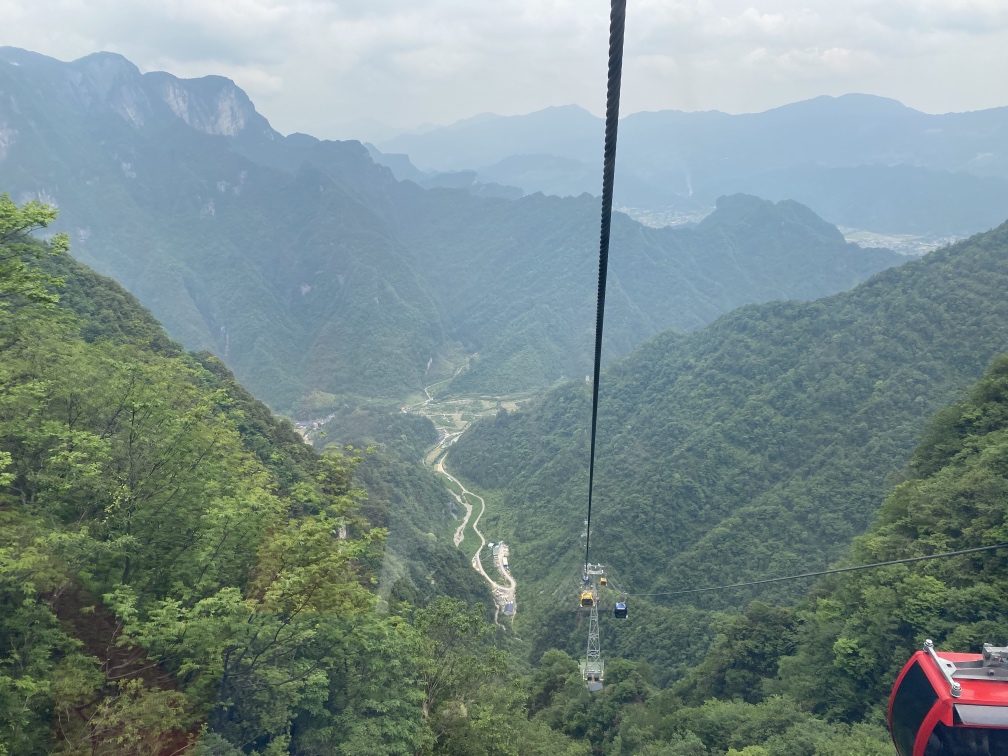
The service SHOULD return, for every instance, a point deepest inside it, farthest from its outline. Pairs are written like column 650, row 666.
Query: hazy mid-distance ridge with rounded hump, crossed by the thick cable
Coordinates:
column 518, row 280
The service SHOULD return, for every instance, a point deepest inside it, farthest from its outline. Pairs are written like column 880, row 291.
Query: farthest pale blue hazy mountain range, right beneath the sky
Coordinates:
column 858, row 161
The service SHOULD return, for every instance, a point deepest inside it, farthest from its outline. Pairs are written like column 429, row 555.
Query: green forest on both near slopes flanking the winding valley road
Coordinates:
column 180, row 571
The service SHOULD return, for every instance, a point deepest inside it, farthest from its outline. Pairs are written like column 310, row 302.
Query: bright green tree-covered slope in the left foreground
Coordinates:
column 172, row 564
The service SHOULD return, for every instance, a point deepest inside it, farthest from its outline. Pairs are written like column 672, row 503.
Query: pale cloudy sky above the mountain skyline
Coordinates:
column 326, row 68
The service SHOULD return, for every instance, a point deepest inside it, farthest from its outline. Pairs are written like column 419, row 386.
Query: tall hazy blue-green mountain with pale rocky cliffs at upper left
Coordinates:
column 279, row 271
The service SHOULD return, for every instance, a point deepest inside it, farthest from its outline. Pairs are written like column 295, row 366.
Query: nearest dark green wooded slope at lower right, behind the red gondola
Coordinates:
column 815, row 679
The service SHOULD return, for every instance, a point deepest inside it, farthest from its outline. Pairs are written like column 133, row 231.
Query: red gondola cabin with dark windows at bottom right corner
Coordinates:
column 952, row 704
